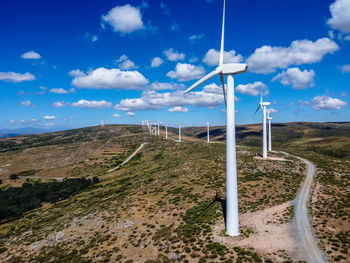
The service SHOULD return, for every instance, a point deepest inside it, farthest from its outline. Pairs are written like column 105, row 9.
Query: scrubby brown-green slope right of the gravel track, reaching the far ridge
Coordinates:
column 327, row 145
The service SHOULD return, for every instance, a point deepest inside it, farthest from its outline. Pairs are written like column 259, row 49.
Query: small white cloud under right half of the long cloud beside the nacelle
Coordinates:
column 297, row 78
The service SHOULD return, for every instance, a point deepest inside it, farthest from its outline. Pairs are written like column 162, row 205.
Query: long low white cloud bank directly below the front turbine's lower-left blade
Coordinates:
column 210, row 96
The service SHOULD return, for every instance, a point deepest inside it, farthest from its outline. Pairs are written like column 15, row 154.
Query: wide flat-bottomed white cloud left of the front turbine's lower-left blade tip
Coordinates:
column 102, row 78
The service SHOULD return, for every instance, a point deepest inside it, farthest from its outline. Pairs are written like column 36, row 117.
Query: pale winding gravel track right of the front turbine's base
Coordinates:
column 301, row 218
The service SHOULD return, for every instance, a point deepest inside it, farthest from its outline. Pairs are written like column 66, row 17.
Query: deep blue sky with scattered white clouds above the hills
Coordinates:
column 71, row 64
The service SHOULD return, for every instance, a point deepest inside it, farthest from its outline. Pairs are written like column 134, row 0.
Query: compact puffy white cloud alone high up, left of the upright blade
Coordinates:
column 124, row 19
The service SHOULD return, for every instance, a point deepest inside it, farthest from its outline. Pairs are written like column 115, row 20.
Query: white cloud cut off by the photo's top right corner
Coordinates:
column 340, row 20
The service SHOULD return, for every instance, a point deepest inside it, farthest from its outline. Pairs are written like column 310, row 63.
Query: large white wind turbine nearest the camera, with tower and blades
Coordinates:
column 232, row 225
